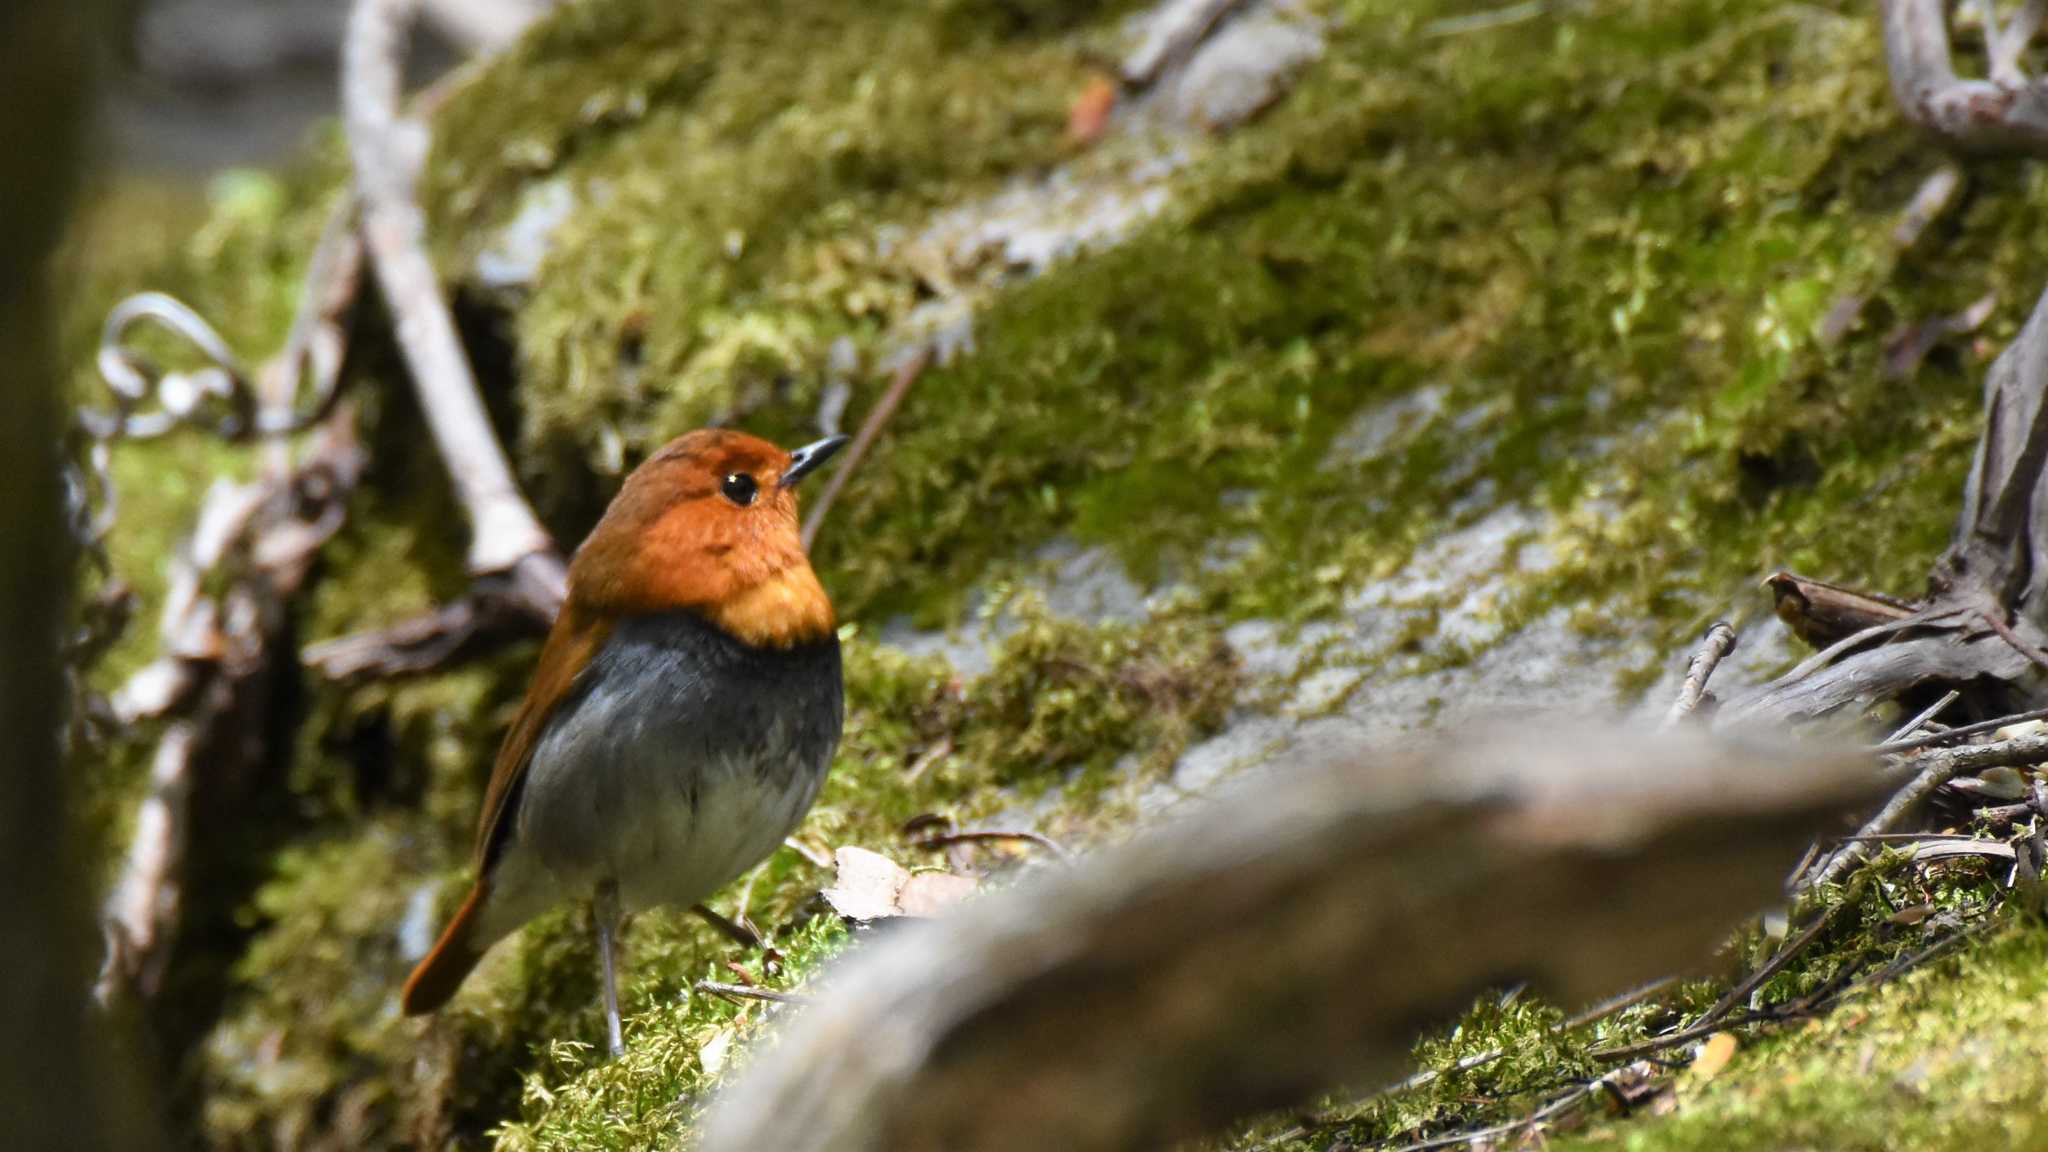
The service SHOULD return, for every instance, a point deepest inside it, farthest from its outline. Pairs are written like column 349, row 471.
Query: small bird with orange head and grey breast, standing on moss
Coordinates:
column 683, row 714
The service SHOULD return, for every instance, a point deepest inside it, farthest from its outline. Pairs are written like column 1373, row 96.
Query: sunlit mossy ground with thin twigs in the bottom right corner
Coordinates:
column 1897, row 1055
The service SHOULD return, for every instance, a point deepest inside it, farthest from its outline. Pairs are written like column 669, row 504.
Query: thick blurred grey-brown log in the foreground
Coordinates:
column 1289, row 940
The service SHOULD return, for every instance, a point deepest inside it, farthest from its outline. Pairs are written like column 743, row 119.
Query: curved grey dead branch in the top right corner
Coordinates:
column 2004, row 114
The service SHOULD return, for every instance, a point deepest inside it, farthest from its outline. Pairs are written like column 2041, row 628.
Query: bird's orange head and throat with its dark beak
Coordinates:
column 710, row 526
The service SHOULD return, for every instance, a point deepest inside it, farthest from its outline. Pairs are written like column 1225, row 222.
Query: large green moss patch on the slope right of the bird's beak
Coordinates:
column 1611, row 241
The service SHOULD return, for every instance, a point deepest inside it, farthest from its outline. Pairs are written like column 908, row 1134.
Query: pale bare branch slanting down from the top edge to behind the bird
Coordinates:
column 511, row 554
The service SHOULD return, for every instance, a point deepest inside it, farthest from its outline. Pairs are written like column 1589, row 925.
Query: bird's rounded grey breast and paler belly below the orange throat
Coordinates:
column 681, row 759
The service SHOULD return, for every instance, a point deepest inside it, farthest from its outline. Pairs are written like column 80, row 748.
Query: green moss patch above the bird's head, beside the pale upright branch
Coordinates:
column 736, row 169
